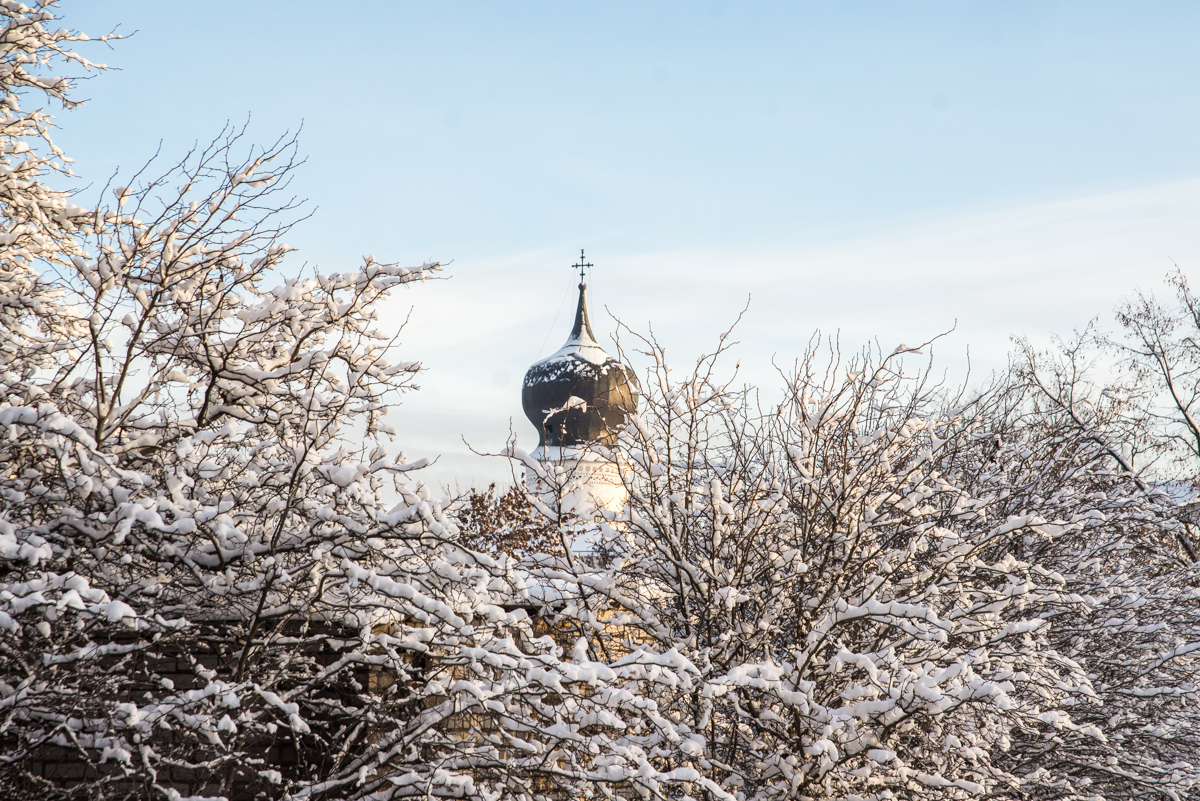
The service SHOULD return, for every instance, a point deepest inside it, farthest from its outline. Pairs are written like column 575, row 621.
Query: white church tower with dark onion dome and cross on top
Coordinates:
column 578, row 399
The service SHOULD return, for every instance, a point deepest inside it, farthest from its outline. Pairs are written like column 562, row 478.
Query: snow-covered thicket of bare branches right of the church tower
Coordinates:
column 880, row 589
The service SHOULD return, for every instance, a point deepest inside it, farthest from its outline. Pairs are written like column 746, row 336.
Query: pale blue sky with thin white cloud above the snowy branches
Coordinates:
column 874, row 171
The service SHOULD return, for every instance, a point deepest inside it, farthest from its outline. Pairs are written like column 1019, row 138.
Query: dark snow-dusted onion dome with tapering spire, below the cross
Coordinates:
column 580, row 394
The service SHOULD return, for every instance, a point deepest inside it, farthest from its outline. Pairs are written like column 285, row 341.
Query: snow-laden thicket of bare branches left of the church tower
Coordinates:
column 218, row 579
